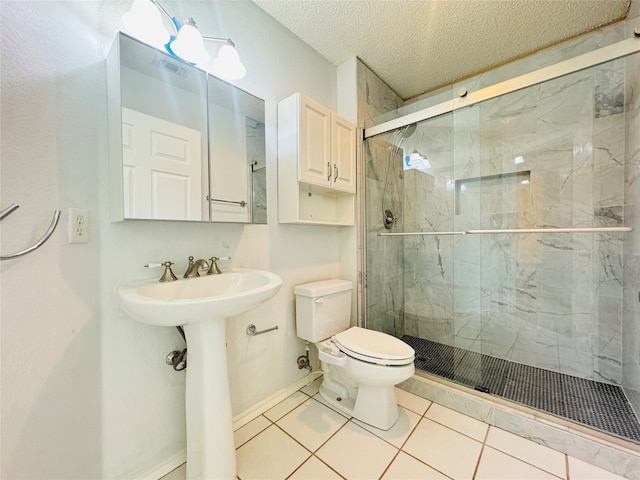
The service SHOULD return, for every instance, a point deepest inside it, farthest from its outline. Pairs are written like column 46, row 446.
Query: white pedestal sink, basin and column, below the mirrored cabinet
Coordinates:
column 201, row 306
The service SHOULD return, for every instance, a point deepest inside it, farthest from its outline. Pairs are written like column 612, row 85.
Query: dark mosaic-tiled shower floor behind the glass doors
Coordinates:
column 598, row 405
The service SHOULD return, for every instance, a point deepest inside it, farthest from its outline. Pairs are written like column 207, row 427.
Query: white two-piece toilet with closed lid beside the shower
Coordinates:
column 361, row 367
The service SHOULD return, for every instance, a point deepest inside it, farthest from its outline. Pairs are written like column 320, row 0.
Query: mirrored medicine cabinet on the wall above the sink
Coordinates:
column 184, row 145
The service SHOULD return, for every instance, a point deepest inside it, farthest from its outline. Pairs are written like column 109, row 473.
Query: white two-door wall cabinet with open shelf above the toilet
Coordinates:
column 316, row 164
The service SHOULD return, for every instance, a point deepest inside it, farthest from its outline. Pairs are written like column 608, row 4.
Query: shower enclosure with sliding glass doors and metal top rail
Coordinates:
column 502, row 241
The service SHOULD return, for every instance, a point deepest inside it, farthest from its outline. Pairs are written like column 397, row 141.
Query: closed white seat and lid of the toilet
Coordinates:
column 374, row 347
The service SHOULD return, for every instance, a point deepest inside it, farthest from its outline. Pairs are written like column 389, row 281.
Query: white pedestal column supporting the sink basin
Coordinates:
column 211, row 450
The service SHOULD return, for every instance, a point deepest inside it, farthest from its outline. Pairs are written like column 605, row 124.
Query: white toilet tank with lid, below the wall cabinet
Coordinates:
column 322, row 309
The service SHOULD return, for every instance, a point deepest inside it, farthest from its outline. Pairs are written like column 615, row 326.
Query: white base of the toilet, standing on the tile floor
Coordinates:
column 374, row 405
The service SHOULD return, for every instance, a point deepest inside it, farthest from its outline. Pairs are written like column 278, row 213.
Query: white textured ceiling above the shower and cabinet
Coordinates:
column 419, row 45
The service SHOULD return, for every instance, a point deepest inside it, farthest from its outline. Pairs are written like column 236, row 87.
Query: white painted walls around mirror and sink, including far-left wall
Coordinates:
column 85, row 391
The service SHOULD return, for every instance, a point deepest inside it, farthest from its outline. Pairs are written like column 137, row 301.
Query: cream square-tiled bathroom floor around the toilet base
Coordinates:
column 301, row 438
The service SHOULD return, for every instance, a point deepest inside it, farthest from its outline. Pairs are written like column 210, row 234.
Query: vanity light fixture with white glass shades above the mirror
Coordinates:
column 144, row 21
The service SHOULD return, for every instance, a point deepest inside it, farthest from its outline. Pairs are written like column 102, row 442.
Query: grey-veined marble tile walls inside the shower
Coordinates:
column 552, row 155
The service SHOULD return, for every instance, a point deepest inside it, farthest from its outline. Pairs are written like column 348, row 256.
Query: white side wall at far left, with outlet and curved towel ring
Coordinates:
column 50, row 318
